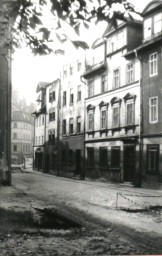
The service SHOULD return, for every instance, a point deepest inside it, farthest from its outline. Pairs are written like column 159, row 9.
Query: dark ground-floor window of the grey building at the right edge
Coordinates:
column 152, row 157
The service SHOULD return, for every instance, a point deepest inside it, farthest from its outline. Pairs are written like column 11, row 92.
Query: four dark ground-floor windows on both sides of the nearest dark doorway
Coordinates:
column 152, row 157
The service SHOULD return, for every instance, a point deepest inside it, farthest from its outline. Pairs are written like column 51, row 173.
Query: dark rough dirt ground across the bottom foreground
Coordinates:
column 21, row 235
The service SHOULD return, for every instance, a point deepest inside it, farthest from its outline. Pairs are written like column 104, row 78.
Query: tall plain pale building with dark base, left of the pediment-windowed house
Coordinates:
column 72, row 115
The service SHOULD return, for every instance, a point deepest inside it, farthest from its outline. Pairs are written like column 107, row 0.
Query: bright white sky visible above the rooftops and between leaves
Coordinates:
column 28, row 70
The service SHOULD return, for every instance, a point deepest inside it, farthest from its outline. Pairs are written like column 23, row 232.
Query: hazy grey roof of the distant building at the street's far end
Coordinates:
column 21, row 116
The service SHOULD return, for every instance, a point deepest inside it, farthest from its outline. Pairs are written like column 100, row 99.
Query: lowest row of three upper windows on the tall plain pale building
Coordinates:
column 71, row 126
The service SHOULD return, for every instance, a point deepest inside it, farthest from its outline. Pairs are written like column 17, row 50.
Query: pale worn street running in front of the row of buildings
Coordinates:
column 95, row 199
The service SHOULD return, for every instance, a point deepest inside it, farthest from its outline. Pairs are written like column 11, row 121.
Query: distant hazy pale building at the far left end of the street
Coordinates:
column 22, row 136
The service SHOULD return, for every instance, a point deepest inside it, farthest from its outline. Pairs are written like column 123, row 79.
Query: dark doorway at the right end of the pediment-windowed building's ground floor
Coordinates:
column 129, row 163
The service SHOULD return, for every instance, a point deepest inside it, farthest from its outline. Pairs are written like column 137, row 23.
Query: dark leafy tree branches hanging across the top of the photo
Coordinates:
column 25, row 20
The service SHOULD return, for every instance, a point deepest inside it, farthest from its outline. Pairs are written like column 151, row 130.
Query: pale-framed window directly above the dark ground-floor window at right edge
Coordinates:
column 153, row 109
